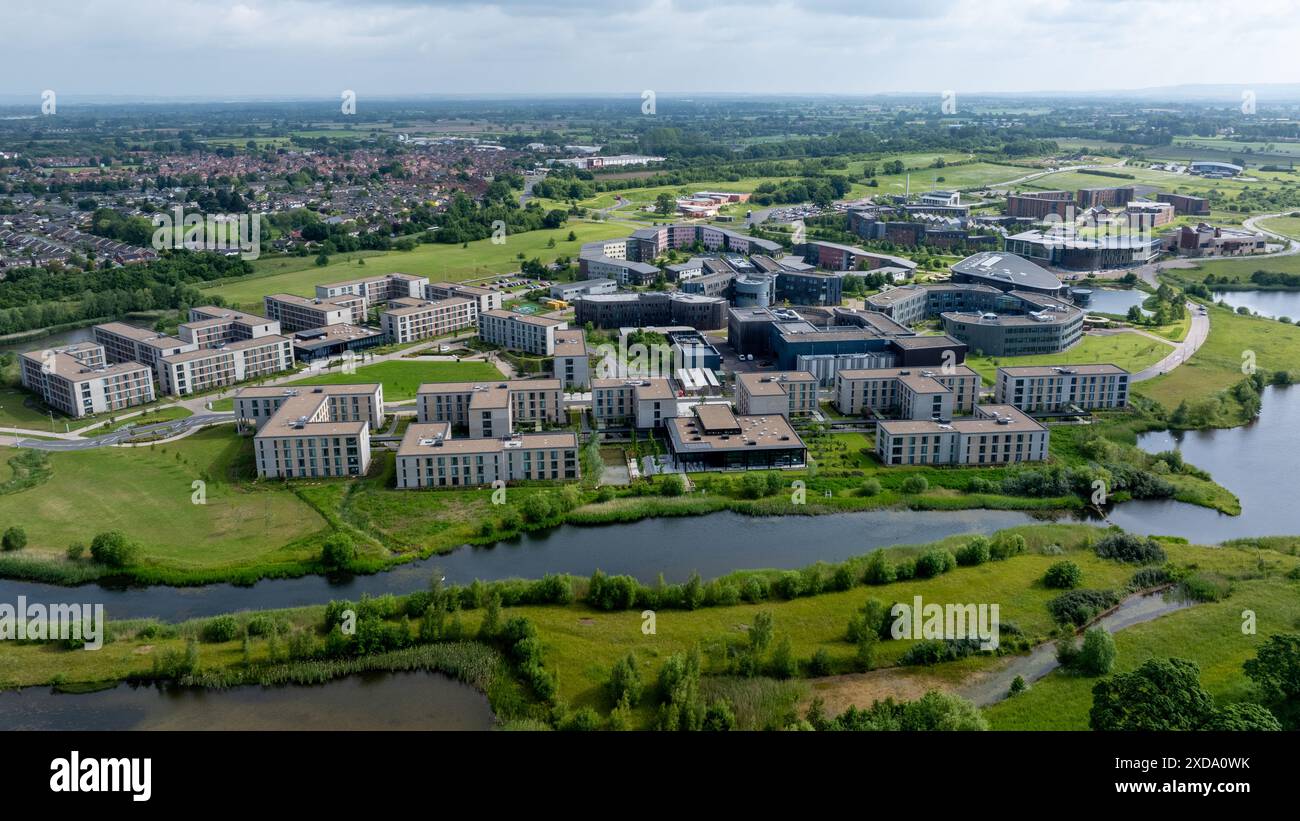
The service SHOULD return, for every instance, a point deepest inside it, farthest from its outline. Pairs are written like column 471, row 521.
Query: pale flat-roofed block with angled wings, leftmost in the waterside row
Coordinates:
column 314, row 432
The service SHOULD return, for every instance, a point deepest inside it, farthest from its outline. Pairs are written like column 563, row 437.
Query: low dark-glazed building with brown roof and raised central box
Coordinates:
column 714, row 438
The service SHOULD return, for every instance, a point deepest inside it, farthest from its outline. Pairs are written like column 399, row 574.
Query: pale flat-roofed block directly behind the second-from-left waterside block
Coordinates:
column 491, row 410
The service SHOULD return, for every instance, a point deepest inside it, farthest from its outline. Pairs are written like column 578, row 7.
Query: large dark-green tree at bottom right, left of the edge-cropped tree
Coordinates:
column 1163, row 694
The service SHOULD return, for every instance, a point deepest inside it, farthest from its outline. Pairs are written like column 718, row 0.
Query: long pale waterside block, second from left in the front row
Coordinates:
column 431, row 458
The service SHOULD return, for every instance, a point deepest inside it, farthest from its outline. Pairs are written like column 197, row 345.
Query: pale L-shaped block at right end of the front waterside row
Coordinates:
column 994, row 436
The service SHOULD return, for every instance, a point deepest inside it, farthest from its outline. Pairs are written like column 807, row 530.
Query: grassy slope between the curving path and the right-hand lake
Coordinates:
column 1217, row 366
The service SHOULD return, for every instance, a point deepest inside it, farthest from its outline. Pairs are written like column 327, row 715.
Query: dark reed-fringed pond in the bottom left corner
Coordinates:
column 365, row 702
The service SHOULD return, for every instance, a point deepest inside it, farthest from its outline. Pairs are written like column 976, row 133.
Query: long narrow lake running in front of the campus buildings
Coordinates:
column 677, row 548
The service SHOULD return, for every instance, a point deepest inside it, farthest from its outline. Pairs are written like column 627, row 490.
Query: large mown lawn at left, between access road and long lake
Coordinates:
column 146, row 493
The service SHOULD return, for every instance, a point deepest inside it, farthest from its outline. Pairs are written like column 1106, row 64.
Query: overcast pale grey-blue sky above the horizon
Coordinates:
column 404, row 47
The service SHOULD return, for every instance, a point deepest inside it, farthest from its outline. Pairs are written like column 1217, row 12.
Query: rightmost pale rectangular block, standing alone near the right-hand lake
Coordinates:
column 1061, row 389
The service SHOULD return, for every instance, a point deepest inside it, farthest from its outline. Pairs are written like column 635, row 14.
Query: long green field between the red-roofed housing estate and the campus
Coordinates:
column 439, row 262
